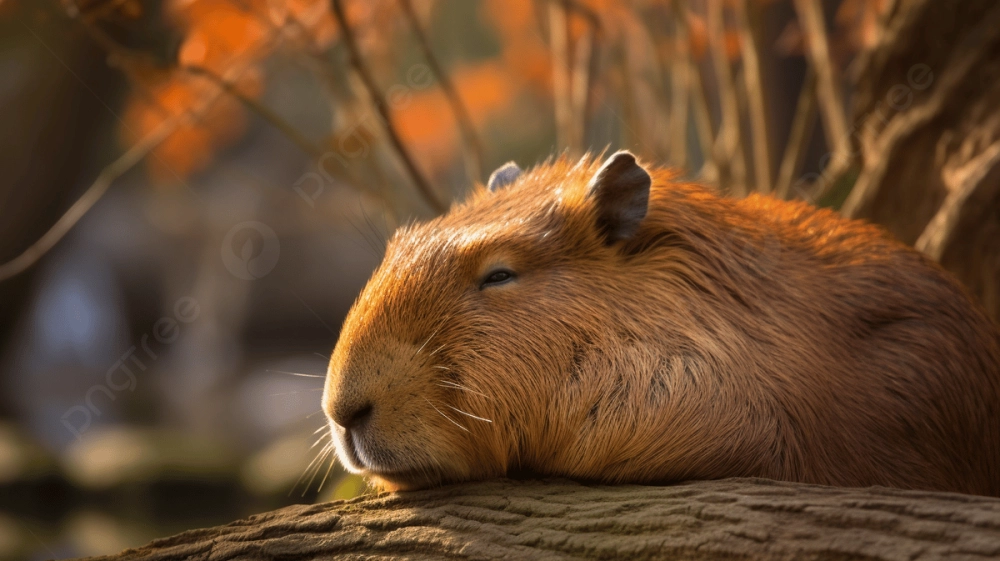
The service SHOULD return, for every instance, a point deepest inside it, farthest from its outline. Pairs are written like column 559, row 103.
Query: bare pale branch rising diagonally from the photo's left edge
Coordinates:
column 108, row 175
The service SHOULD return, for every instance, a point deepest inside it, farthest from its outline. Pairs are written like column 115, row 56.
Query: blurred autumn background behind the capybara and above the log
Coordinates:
column 192, row 193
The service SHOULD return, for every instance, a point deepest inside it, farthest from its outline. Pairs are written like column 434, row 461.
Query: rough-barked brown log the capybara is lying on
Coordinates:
column 557, row 519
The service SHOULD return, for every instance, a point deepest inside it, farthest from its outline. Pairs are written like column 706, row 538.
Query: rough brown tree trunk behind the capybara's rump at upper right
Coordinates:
column 927, row 123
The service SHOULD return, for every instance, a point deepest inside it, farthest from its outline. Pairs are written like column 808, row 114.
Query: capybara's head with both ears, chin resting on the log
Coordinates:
column 448, row 363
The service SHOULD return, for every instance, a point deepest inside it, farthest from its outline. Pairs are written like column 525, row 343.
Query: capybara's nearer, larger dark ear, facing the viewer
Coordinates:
column 620, row 191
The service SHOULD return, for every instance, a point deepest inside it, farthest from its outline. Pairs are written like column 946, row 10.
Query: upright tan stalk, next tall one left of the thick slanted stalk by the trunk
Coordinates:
column 755, row 98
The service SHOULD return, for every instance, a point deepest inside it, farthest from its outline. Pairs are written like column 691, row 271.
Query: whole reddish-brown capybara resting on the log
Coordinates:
column 609, row 324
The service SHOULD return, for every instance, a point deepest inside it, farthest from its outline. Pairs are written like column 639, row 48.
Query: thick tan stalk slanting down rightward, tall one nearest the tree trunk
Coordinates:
column 831, row 104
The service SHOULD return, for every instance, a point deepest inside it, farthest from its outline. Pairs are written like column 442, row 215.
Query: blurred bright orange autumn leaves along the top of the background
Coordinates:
column 228, row 41
